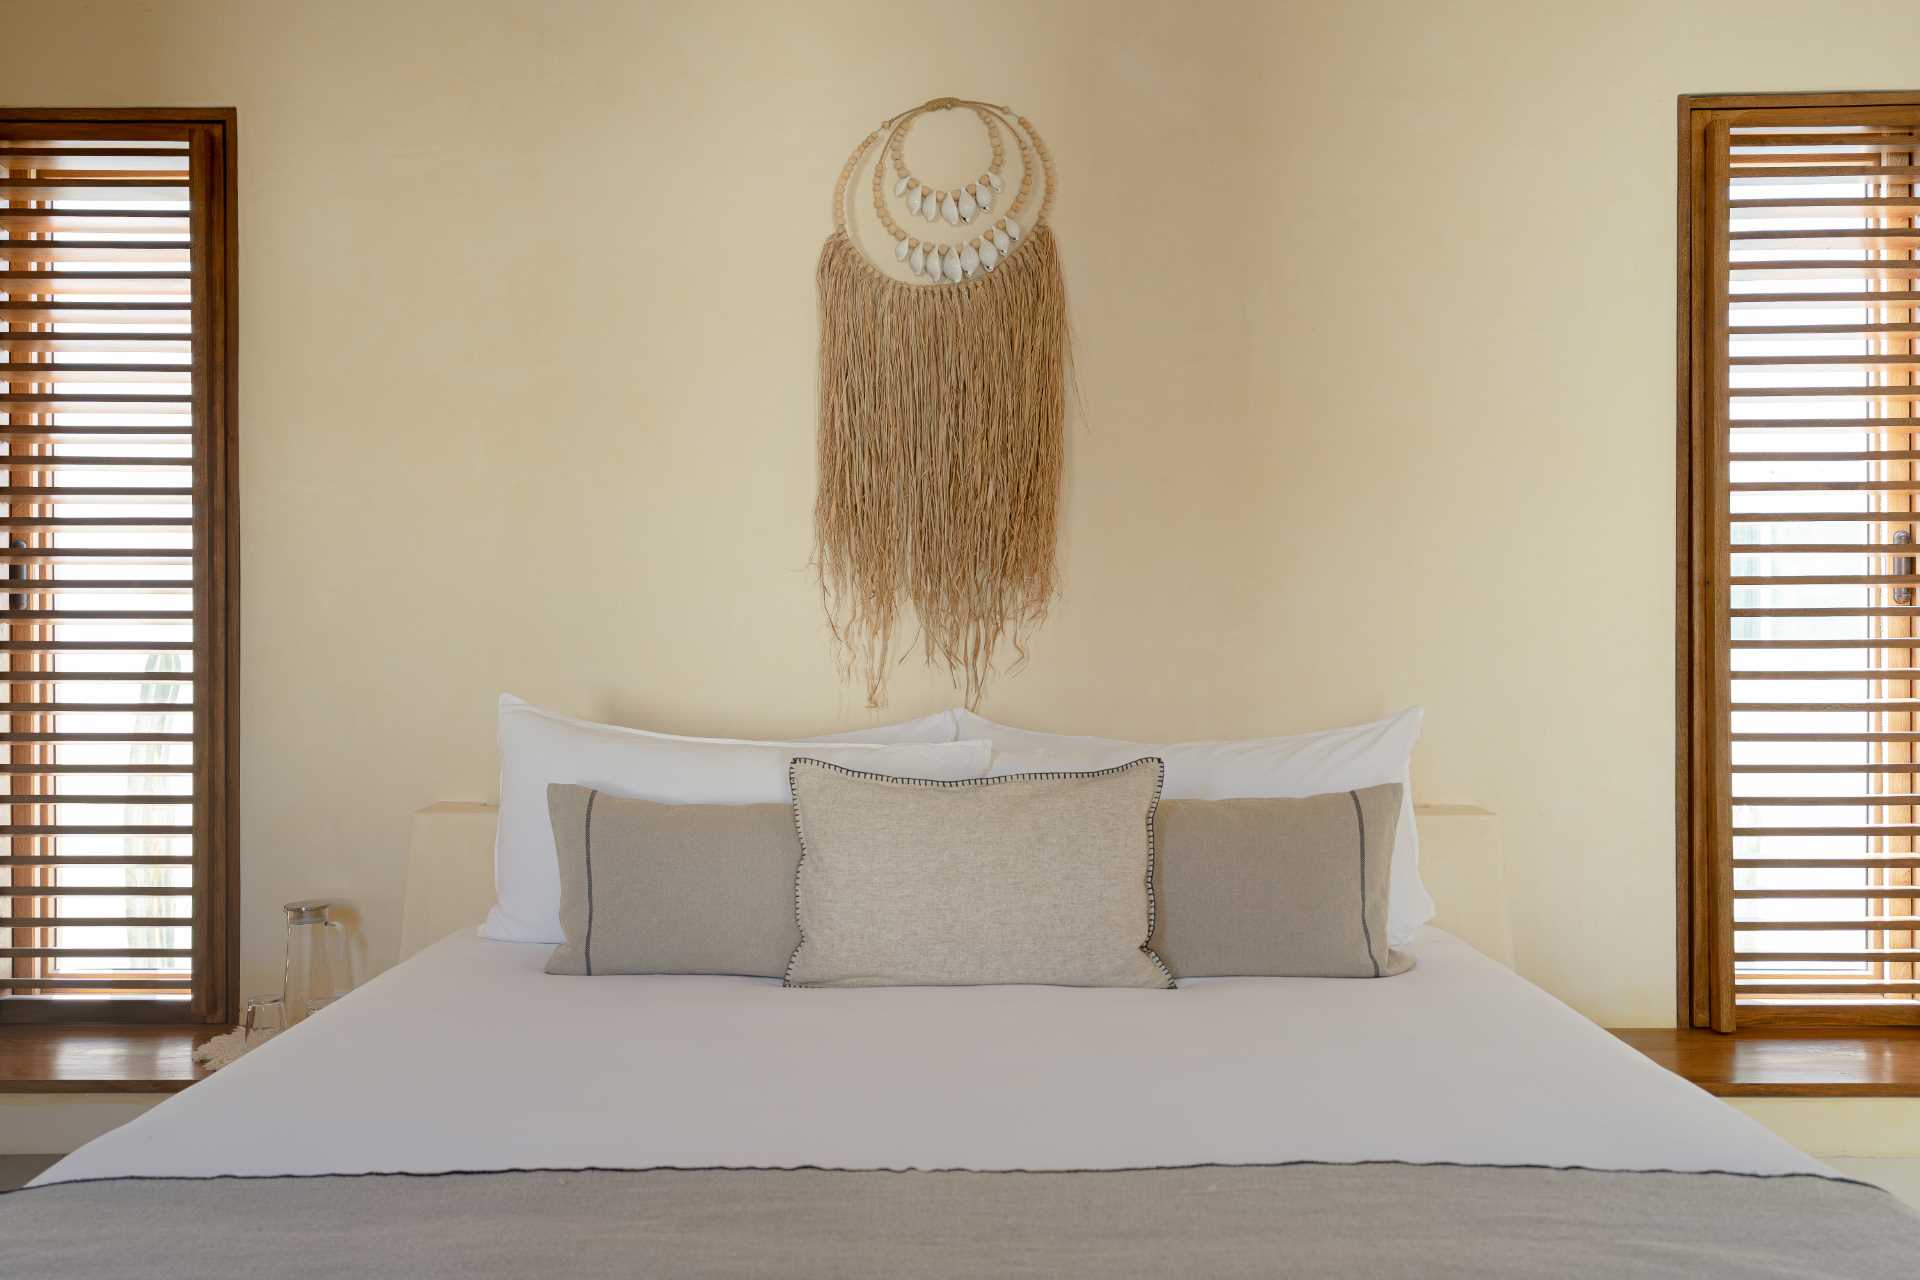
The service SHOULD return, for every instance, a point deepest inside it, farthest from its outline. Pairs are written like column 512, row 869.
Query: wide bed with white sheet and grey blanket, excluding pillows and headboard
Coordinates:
column 469, row 1116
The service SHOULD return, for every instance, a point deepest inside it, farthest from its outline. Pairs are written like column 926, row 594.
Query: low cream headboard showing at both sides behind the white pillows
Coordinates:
column 450, row 874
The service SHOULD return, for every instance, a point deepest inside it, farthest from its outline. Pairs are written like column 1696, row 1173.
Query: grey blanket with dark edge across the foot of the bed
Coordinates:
column 1383, row 1221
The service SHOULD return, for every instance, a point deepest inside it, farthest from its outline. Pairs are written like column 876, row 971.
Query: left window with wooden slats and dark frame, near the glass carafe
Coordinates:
column 120, row 628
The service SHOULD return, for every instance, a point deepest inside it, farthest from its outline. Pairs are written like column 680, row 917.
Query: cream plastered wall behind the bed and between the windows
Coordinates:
column 1376, row 329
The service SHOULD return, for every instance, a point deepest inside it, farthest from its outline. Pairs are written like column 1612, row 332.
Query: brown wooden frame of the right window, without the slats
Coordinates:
column 1704, row 970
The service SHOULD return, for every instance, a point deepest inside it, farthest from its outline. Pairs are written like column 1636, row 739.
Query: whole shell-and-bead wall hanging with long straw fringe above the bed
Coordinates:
column 942, row 408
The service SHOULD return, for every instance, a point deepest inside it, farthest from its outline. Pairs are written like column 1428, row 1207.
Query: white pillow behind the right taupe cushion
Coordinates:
column 1307, row 765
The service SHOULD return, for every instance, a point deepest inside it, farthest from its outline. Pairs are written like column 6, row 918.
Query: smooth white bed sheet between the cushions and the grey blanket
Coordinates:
column 469, row 1056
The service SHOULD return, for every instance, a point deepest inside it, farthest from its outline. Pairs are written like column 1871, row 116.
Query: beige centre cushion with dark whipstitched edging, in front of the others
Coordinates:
column 1038, row 878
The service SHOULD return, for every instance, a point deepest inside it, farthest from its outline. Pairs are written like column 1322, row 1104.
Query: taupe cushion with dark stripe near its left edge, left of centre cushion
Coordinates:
column 673, row 888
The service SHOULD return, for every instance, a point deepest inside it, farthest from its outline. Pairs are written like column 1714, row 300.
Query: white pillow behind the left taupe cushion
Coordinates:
column 539, row 747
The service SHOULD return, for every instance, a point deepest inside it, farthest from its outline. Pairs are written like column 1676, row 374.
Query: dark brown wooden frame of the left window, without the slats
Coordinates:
column 216, row 916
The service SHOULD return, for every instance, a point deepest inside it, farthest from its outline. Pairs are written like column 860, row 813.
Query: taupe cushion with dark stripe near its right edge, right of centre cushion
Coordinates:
column 1278, row 888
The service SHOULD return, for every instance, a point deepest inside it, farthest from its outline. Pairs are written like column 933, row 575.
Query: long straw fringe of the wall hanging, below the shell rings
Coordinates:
column 942, row 446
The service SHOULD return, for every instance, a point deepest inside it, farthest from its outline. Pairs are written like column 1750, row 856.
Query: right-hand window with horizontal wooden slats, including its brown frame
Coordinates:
column 1800, row 650
